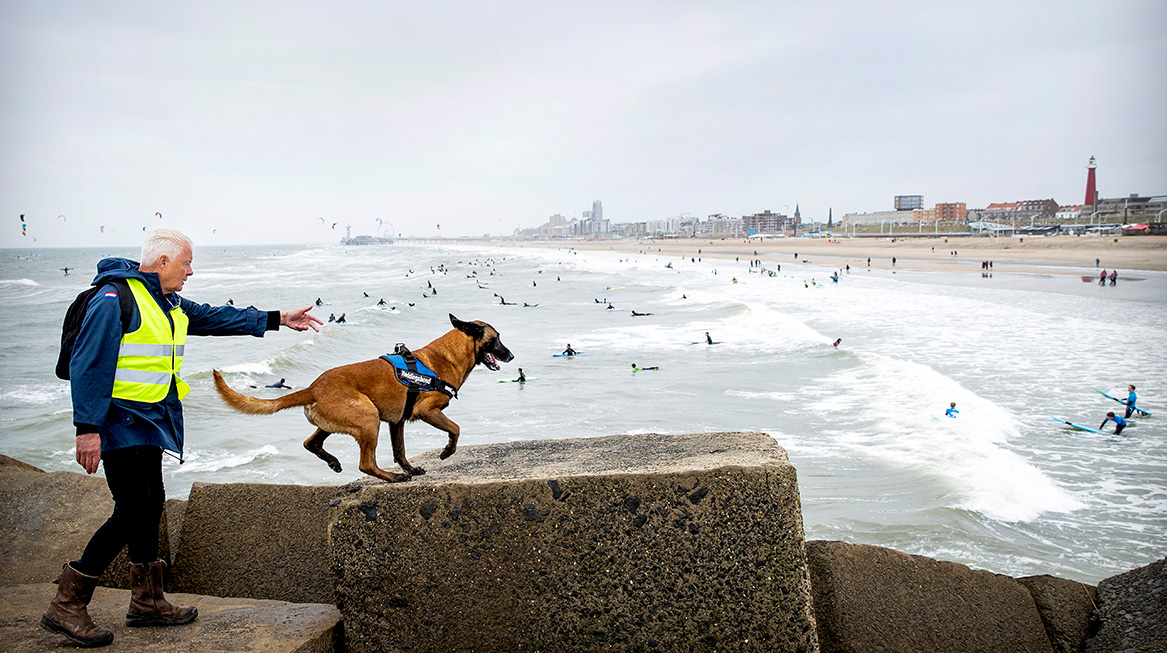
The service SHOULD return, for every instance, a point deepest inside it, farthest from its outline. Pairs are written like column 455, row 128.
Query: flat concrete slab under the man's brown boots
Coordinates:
column 223, row 624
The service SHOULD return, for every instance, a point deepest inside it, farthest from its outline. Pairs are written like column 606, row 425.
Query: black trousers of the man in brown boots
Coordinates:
column 135, row 476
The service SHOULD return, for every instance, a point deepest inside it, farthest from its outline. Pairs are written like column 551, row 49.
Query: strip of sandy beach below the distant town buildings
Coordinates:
column 1061, row 255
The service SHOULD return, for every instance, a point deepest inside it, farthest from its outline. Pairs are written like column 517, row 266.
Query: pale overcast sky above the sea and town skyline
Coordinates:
column 257, row 120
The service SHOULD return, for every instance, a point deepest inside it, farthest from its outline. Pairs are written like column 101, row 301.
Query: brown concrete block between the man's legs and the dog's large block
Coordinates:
column 257, row 542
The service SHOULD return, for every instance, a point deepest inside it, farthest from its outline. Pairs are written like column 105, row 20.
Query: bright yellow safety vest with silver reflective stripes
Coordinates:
column 152, row 355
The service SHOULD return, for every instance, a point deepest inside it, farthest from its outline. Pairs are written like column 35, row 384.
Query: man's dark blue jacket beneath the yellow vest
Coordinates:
column 95, row 360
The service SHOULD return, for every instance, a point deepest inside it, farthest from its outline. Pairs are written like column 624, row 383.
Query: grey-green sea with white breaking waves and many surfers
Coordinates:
column 1003, row 487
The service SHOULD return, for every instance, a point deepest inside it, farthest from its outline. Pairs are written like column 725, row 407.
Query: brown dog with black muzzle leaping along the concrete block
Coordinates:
column 357, row 398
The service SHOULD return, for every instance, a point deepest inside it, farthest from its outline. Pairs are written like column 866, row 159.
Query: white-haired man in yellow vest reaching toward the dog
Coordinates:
column 128, row 409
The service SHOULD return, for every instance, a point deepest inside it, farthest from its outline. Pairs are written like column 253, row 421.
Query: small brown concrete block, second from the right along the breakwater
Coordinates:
column 1066, row 609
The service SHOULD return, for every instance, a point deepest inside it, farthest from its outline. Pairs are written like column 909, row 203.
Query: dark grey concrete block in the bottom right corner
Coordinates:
column 1133, row 612
